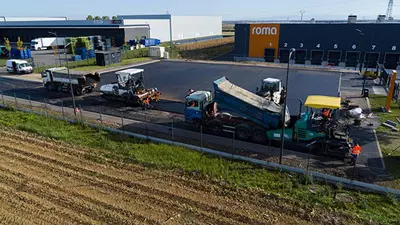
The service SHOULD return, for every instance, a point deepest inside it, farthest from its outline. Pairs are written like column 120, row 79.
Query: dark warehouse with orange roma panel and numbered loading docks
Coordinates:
column 337, row 43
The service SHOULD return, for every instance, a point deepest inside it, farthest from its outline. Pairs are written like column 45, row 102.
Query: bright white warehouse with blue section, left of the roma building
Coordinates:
column 171, row 28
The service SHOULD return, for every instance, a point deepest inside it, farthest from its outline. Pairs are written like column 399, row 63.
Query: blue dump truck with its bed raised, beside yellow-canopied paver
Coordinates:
column 233, row 109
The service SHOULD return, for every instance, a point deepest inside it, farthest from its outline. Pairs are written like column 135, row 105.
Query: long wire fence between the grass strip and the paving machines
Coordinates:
column 171, row 132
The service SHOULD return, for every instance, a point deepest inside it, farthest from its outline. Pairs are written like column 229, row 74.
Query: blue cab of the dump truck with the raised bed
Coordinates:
column 195, row 103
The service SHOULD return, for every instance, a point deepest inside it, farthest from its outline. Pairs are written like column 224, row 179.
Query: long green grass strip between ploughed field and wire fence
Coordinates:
column 232, row 174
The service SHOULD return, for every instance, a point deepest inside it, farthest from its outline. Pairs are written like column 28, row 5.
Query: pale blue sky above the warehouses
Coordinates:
column 228, row 9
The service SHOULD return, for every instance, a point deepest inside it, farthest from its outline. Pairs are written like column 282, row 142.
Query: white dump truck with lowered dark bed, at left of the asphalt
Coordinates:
column 61, row 79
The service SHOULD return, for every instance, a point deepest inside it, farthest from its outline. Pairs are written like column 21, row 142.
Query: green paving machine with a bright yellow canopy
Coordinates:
column 329, row 134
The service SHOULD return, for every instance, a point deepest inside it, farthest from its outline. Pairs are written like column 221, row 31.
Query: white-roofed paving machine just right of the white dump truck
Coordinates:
column 130, row 88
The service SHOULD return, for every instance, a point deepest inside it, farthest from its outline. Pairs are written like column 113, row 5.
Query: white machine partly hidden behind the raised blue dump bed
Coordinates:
column 270, row 86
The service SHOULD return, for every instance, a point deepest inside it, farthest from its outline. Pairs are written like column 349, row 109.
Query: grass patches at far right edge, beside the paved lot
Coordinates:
column 388, row 140
